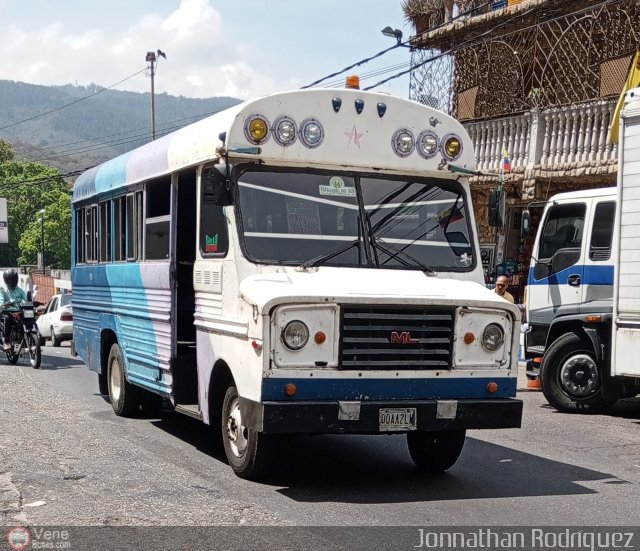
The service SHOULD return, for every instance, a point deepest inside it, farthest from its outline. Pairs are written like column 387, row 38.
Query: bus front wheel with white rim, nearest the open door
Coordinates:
column 248, row 452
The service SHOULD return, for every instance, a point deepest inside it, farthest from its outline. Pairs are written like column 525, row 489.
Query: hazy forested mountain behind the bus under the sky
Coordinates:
column 62, row 127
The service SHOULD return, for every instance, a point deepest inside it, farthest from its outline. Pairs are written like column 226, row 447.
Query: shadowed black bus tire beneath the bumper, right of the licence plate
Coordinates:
column 437, row 450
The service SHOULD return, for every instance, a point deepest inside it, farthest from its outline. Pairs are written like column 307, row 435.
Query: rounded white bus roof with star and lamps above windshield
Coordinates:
column 358, row 129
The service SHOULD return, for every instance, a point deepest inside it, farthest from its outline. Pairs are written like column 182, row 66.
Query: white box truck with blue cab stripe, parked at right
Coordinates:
column 583, row 303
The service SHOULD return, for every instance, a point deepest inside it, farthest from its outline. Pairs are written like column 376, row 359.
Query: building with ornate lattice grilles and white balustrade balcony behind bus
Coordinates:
column 536, row 81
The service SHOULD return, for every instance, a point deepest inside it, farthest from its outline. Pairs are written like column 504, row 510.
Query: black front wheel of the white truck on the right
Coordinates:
column 570, row 376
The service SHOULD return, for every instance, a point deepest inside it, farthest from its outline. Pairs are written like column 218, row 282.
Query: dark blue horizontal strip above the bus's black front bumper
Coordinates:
column 448, row 388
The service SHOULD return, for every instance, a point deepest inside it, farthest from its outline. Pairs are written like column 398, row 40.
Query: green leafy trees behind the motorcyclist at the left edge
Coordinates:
column 29, row 187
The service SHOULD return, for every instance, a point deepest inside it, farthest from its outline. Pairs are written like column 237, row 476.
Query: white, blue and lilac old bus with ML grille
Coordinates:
column 306, row 262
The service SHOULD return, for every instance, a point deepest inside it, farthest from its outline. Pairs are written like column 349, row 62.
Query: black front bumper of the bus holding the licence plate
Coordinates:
column 373, row 417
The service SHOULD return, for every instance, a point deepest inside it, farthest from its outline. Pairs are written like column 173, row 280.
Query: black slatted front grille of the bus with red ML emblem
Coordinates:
column 396, row 338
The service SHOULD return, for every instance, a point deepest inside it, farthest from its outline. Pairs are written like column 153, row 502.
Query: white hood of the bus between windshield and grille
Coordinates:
column 364, row 286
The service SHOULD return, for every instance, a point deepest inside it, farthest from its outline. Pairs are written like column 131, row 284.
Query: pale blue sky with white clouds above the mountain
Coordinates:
column 237, row 48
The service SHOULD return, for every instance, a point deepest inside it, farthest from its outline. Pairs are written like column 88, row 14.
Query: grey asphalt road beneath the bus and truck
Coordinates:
column 65, row 458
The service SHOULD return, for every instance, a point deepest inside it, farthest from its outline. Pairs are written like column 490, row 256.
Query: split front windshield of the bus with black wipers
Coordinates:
column 350, row 219
